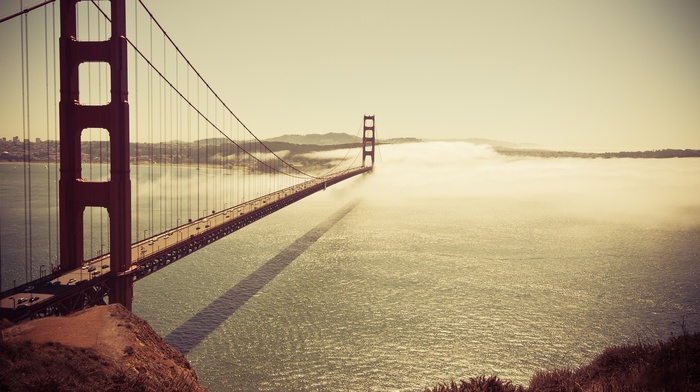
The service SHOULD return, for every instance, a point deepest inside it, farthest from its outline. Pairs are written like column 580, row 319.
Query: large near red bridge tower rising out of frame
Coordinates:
column 75, row 193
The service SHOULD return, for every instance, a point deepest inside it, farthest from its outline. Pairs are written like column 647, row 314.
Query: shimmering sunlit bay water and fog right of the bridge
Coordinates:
column 455, row 262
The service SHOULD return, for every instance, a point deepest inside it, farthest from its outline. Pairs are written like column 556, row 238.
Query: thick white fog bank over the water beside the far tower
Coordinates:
column 651, row 190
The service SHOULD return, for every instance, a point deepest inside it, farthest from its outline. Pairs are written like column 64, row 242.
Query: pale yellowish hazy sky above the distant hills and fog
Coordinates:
column 589, row 75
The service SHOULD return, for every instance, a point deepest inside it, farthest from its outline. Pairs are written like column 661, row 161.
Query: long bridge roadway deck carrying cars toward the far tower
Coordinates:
column 89, row 284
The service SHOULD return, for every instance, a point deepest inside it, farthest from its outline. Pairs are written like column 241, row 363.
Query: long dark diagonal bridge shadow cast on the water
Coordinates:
column 187, row 336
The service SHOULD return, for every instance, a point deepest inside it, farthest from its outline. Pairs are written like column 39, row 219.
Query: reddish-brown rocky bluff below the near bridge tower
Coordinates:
column 105, row 348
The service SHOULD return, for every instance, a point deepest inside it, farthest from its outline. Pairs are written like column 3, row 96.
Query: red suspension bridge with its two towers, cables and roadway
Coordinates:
column 141, row 162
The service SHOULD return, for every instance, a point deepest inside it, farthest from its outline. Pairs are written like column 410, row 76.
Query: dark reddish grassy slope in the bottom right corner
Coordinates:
column 671, row 365
